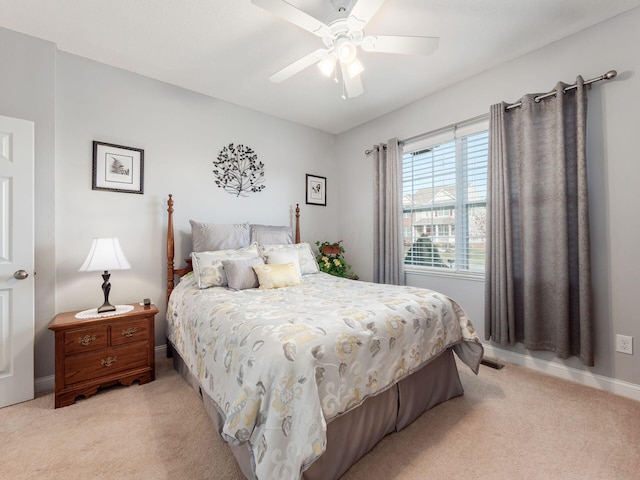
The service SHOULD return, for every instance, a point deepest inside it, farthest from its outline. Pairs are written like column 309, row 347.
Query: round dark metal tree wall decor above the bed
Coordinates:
column 238, row 171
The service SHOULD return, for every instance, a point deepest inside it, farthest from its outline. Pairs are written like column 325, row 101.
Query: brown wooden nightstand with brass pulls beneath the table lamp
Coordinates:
column 98, row 352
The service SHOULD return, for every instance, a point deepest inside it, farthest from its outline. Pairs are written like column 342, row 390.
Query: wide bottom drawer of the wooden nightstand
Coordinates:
column 90, row 366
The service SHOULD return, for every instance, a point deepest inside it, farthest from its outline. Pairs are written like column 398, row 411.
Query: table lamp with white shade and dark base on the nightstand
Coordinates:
column 105, row 254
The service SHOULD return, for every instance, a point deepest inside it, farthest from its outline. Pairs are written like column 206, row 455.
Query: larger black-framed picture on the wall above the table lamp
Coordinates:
column 117, row 168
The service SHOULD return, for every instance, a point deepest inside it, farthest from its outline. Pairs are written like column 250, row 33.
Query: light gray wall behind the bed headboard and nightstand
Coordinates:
column 181, row 133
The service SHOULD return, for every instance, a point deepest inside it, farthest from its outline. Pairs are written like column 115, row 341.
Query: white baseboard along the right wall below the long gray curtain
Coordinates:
column 619, row 387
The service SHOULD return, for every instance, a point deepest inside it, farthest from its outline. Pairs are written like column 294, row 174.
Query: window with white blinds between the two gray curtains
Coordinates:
column 444, row 199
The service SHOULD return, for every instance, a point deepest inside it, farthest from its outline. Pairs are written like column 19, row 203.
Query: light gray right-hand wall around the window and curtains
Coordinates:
column 614, row 170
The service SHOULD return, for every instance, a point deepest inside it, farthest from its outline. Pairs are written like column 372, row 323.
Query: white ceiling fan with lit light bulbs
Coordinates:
column 341, row 40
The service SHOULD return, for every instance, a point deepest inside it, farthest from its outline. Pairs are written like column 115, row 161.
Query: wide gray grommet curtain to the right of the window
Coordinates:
column 538, row 272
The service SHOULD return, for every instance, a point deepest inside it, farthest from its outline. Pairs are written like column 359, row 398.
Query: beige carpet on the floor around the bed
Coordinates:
column 510, row 424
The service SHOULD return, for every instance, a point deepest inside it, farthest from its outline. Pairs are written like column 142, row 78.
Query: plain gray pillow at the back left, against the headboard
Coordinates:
column 209, row 237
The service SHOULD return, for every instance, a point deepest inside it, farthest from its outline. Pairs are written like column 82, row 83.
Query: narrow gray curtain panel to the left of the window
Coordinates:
column 388, row 251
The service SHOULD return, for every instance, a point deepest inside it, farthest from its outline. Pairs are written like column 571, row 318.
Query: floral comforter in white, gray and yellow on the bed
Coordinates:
column 281, row 363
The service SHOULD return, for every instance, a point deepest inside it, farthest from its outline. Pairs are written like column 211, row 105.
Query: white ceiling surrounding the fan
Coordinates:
column 228, row 48
